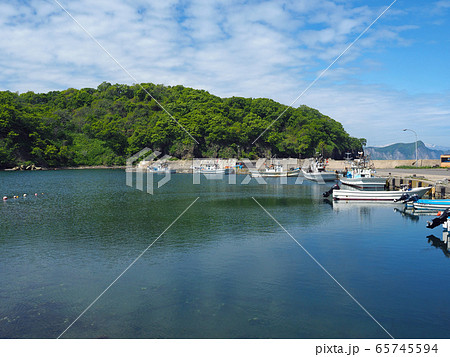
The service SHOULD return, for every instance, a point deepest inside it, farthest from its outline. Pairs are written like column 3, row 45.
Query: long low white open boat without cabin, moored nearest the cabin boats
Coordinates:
column 382, row 196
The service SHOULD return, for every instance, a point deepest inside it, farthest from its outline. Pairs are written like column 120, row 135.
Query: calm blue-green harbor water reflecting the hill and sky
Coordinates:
column 225, row 269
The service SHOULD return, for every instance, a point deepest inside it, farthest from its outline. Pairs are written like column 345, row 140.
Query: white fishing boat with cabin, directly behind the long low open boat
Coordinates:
column 362, row 175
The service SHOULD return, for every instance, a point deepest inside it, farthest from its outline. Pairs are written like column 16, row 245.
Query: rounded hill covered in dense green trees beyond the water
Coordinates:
column 104, row 126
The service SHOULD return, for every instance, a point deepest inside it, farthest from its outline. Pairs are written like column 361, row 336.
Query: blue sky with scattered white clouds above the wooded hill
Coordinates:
column 395, row 76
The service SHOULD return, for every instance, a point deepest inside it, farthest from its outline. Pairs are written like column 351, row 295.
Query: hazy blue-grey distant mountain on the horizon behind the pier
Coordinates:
column 401, row 151
